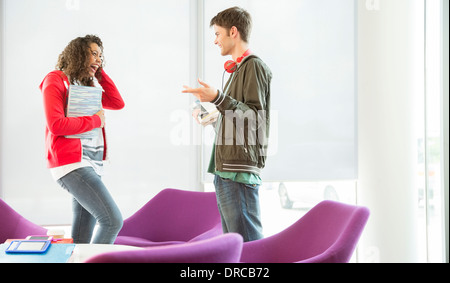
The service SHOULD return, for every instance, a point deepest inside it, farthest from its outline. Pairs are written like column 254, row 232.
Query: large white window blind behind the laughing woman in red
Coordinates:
column 147, row 53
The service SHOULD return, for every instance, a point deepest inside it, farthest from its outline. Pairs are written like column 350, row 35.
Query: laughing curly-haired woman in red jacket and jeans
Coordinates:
column 77, row 164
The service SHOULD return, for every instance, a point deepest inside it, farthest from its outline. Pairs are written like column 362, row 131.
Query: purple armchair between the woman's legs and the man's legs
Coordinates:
column 172, row 217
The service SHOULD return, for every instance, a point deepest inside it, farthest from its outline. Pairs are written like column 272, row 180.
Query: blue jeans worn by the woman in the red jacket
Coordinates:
column 91, row 203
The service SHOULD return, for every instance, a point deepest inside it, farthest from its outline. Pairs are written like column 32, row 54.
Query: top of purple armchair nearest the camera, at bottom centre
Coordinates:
column 225, row 248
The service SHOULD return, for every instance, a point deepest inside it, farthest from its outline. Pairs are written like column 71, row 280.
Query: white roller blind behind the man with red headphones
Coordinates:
column 310, row 47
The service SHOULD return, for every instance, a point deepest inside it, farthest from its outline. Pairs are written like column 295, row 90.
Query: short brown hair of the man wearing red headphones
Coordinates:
column 236, row 17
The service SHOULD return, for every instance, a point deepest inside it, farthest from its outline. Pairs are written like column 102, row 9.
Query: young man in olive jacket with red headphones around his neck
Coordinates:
column 242, row 129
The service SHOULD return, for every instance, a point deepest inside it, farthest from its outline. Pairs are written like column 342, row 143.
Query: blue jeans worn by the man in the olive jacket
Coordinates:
column 239, row 208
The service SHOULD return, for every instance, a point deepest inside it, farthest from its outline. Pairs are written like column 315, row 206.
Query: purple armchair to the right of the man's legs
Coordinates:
column 328, row 233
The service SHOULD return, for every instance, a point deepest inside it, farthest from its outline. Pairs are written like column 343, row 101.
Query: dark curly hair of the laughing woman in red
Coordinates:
column 74, row 60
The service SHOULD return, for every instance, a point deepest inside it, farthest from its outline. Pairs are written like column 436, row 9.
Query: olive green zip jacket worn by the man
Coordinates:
column 242, row 129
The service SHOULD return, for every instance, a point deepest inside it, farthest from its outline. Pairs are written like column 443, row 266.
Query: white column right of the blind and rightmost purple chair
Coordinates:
column 390, row 87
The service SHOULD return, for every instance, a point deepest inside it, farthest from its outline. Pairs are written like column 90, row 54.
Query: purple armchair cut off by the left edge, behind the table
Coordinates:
column 15, row 226
